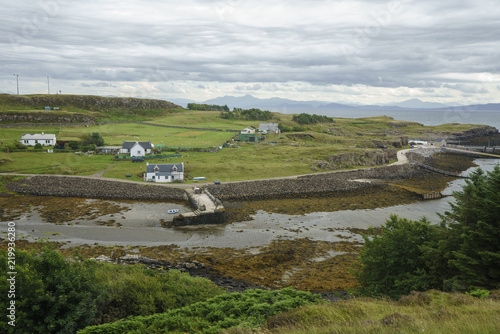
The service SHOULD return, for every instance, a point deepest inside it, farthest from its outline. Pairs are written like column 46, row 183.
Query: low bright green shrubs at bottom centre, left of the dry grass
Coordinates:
column 248, row 309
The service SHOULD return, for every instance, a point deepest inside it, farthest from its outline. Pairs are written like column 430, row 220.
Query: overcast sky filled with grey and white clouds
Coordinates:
column 348, row 51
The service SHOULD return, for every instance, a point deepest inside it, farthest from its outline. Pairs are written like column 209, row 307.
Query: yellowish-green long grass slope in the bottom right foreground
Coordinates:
column 429, row 312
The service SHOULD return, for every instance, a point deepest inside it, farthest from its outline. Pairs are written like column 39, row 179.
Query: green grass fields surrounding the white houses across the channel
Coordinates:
column 288, row 154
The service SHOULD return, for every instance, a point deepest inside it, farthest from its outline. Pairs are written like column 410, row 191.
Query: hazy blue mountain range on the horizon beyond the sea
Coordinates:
column 287, row 106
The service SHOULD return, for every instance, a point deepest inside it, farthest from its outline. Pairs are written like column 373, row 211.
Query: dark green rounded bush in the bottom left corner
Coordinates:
column 52, row 295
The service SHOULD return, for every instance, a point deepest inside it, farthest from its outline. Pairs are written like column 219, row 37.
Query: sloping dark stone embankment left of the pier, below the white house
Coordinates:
column 67, row 186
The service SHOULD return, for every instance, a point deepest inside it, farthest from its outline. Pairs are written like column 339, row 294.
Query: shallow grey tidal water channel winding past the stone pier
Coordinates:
column 141, row 224
